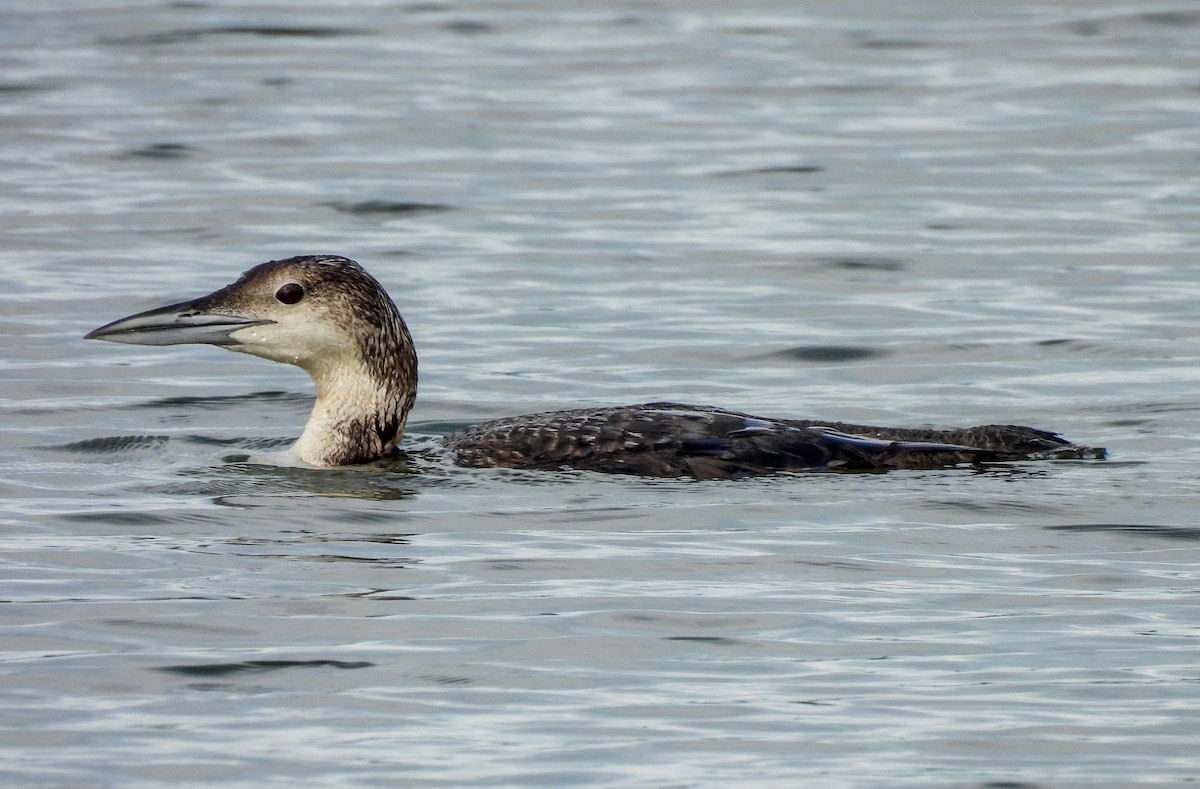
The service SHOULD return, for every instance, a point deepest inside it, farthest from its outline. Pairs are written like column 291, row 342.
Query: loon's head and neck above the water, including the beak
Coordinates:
column 322, row 314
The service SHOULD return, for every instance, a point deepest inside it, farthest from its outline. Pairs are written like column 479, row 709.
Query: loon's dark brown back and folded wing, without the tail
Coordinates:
column 669, row 439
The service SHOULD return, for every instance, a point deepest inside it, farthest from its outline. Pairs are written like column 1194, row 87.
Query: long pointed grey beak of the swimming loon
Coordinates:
column 189, row 322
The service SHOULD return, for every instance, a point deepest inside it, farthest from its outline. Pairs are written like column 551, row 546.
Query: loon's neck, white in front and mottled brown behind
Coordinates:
column 359, row 415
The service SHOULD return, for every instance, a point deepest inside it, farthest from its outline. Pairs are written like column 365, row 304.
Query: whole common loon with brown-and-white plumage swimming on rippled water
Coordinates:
column 328, row 316
